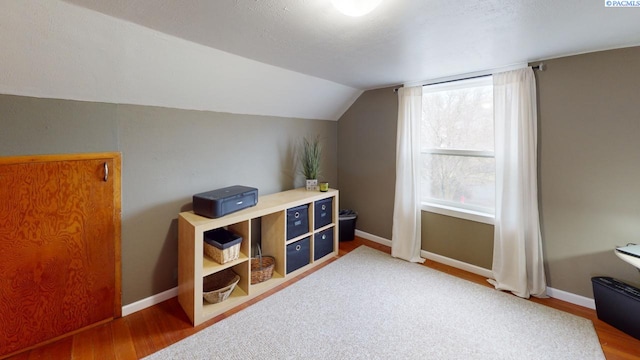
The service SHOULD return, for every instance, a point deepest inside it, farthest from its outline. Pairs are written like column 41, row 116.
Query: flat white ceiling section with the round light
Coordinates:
column 402, row 41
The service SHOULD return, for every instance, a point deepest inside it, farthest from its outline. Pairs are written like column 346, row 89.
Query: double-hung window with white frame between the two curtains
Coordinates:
column 458, row 164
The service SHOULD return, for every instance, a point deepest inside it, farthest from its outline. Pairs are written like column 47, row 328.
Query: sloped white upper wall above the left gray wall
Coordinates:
column 53, row 49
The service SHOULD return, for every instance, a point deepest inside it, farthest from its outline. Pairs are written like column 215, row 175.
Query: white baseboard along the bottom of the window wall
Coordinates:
column 551, row 292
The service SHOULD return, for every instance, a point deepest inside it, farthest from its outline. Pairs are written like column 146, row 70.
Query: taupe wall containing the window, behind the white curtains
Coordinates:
column 589, row 170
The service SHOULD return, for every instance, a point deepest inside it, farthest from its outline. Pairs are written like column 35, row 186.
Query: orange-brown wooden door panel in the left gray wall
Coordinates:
column 57, row 243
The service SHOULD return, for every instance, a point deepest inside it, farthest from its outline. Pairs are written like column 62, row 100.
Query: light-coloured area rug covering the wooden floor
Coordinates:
column 368, row 305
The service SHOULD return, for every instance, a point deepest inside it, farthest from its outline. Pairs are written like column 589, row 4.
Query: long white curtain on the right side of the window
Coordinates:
column 517, row 254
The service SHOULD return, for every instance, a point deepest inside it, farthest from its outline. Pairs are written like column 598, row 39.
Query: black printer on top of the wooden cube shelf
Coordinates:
column 220, row 202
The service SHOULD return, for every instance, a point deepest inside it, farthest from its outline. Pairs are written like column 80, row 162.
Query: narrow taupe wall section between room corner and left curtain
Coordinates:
column 367, row 161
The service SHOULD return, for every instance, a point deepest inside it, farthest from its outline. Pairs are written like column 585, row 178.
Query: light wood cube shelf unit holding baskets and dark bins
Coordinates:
column 271, row 210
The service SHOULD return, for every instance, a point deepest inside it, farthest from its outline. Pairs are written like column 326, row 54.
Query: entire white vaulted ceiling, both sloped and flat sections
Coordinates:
column 285, row 58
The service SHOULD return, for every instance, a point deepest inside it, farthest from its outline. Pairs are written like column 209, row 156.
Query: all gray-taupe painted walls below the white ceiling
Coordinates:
column 589, row 166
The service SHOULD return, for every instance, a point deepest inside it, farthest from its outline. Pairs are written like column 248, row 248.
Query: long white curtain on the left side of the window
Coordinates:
column 406, row 239
